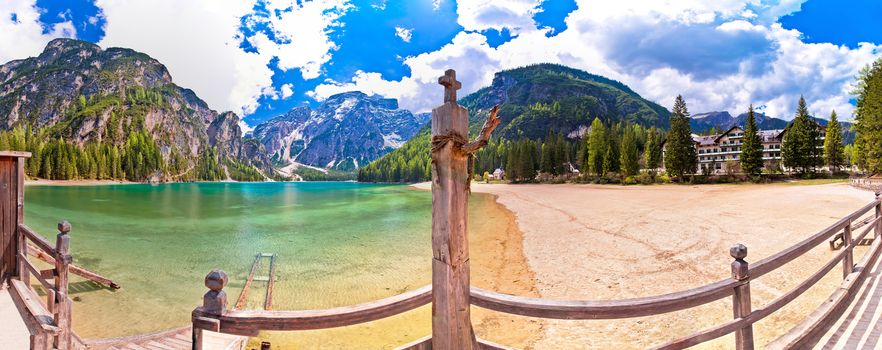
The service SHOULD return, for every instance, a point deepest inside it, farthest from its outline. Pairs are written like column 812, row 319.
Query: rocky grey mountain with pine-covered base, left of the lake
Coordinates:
column 88, row 113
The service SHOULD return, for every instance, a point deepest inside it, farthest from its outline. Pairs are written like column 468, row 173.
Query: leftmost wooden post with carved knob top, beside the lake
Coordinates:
column 62, row 301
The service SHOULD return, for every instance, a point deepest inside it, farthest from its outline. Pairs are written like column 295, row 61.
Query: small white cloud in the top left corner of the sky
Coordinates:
column 23, row 37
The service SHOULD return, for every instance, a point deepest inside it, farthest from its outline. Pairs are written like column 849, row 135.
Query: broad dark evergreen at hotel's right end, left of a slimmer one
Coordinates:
column 802, row 149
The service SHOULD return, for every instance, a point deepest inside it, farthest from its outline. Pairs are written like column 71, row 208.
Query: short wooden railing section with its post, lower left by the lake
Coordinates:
column 50, row 326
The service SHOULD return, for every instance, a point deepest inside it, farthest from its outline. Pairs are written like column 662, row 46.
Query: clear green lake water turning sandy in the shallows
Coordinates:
column 336, row 244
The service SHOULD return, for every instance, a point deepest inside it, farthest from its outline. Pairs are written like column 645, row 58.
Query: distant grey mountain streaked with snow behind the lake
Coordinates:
column 346, row 131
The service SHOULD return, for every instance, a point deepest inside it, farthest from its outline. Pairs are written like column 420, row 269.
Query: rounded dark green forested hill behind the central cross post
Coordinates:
column 534, row 101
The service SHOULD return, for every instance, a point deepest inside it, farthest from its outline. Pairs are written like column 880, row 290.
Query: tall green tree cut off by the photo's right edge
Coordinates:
column 868, row 118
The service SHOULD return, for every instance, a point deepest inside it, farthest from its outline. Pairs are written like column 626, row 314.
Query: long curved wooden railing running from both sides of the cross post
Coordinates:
column 213, row 316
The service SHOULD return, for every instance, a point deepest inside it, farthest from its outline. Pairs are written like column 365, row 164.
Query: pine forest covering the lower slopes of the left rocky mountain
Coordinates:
column 126, row 151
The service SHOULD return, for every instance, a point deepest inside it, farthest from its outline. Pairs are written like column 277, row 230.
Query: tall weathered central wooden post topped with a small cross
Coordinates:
column 451, row 323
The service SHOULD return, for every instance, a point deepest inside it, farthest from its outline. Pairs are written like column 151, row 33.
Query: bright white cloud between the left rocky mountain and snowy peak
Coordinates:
column 199, row 43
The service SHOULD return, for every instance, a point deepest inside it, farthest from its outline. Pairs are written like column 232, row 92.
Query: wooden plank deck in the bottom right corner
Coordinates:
column 860, row 326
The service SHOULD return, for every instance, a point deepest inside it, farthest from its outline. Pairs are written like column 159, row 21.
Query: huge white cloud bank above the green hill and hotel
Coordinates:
column 720, row 55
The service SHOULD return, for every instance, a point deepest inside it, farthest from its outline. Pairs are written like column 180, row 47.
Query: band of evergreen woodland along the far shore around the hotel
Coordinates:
column 617, row 151
